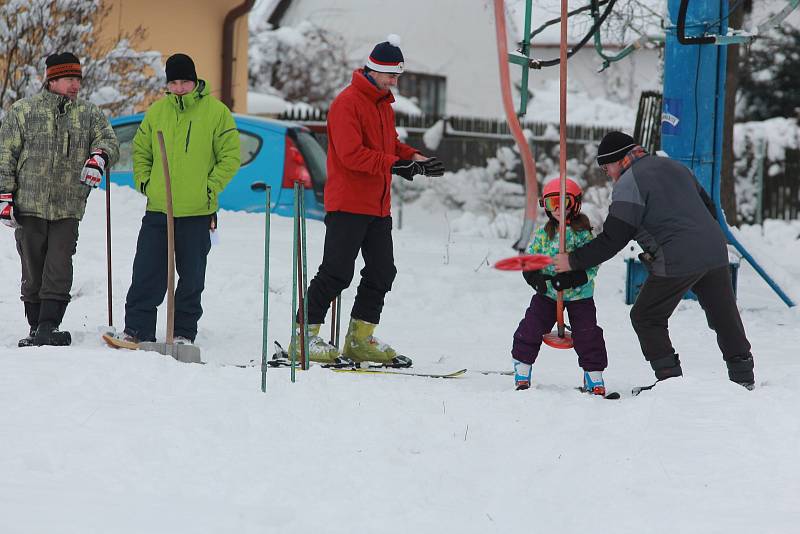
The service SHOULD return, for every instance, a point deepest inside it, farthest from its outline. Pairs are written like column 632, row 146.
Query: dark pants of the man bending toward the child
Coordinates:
column 658, row 298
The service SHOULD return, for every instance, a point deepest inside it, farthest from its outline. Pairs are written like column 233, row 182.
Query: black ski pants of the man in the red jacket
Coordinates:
column 345, row 235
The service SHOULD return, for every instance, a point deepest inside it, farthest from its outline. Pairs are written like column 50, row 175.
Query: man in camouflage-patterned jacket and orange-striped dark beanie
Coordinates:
column 54, row 149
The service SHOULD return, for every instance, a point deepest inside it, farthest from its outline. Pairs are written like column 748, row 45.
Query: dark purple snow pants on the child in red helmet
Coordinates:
column 540, row 317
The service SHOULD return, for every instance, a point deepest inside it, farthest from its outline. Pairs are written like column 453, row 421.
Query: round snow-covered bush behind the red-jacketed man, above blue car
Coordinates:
column 302, row 64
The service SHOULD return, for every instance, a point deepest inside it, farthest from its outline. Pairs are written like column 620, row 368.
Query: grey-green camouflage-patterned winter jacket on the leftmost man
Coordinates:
column 44, row 142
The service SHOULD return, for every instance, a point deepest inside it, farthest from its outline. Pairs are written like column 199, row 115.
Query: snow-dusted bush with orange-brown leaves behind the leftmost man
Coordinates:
column 115, row 75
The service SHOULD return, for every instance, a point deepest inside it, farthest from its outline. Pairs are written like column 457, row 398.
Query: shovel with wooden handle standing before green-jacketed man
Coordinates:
column 182, row 353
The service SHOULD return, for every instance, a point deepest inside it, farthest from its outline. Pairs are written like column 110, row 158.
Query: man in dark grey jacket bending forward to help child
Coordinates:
column 659, row 203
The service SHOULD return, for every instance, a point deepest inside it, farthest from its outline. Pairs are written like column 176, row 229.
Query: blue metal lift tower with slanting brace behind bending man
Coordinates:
column 693, row 111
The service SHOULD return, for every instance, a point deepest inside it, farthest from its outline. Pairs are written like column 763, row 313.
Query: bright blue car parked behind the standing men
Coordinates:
column 274, row 153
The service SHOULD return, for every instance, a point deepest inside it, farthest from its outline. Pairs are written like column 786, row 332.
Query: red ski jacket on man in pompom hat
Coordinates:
column 362, row 147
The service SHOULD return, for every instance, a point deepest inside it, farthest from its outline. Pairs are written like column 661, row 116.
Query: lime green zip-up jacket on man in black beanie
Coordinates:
column 202, row 146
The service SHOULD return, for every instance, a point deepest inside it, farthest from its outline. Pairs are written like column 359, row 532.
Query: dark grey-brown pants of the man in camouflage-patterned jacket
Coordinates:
column 46, row 249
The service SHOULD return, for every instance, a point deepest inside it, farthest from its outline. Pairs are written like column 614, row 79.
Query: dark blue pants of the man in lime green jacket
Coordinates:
column 149, row 281
